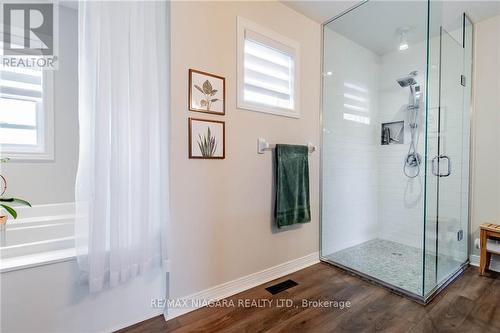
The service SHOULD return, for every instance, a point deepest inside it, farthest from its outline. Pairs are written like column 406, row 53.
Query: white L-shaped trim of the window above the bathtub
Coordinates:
column 45, row 128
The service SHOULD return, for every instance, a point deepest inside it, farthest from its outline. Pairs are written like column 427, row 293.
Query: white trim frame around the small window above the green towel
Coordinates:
column 243, row 25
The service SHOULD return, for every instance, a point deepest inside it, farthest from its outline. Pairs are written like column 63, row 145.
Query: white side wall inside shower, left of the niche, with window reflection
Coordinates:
column 349, row 148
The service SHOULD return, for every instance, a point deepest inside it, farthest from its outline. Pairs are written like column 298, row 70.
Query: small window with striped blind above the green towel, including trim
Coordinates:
column 268, row 66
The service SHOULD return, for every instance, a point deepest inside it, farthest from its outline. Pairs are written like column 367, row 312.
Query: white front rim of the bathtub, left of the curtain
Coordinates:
column 35, row 260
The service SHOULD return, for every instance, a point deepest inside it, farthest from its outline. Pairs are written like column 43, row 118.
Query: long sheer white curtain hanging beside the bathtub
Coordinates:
column 122, row 181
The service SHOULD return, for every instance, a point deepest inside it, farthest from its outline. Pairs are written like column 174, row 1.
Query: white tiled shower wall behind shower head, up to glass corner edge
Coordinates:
column 400, row 198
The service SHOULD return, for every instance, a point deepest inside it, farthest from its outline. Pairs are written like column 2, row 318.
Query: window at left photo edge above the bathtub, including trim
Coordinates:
column 26, row 113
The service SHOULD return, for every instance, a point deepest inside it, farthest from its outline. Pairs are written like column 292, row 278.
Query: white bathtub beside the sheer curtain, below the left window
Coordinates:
column 41, row 234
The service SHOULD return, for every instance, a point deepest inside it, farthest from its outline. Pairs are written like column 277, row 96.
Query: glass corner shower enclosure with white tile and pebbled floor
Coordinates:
column 396, row 96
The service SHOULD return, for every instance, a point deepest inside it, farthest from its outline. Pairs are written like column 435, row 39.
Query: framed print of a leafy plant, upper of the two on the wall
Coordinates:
column 207, row 92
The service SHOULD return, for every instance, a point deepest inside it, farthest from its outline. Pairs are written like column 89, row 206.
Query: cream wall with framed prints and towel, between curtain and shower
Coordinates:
column 222, row 210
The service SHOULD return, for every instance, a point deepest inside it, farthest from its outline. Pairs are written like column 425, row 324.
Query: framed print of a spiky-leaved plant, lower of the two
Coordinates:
column 206, row 139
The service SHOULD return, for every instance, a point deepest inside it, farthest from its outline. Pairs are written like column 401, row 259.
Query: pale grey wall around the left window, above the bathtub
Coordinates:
column 54, row 181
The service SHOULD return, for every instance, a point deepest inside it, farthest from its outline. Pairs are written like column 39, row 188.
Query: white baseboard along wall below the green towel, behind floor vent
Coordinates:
column 241, row 284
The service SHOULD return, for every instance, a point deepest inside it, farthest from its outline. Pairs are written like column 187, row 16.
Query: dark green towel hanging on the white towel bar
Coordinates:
column 292, row 185
